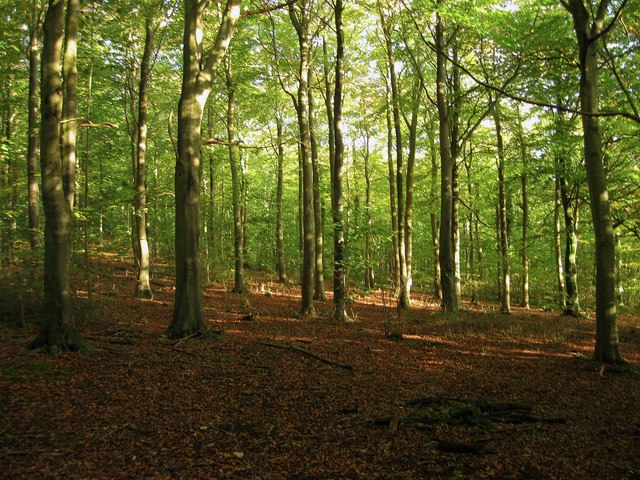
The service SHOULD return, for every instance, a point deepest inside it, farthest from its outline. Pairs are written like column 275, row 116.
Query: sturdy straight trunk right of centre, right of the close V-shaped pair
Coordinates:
column 447, row 266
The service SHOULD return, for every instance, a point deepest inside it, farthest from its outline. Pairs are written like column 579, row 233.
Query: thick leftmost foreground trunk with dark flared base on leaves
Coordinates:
column 58, row 331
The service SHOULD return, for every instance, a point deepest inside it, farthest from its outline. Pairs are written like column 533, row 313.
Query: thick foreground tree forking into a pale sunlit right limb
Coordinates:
column 197, row 78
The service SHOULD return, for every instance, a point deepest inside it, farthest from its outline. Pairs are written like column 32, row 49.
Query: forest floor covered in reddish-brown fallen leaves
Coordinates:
column 267, row 396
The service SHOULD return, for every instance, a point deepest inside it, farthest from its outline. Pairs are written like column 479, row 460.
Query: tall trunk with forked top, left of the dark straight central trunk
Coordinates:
column 299, row 15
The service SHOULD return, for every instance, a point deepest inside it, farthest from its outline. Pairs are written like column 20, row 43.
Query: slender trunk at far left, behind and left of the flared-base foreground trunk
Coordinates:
column 33, row 146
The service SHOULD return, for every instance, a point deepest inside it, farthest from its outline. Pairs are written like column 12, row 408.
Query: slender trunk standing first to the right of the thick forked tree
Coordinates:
column 238, row 224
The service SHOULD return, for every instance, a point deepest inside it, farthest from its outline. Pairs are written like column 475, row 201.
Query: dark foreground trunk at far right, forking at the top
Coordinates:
column 588, row 32
